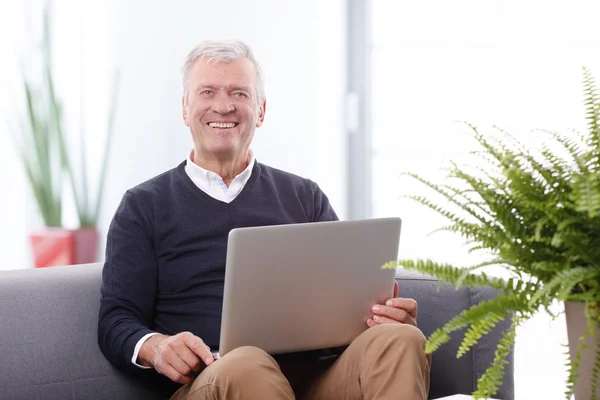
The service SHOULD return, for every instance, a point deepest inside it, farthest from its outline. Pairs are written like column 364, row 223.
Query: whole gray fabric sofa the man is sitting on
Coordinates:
column 49, row 350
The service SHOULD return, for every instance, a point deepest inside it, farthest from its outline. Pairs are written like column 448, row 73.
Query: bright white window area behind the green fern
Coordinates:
column 514, row 64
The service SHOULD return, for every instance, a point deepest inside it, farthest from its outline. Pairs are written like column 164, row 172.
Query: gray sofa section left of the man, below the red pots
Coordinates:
column 48, row 338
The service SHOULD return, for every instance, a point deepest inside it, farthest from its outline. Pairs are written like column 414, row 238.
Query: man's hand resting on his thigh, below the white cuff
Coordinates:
column 175, row 356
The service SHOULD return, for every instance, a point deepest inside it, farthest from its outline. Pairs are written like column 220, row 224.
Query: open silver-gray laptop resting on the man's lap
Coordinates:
column 308, row 286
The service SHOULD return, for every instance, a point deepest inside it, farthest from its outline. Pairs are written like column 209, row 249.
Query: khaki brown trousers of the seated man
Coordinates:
column 385, row 362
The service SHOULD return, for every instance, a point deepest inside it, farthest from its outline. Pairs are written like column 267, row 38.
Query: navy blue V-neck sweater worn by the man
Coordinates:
column 166, row 249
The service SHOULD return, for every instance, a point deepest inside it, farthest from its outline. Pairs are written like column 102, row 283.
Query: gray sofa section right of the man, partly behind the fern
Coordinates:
column 438, row 303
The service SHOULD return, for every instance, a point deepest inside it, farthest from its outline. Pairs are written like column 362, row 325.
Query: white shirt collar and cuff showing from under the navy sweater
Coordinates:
column 213, row 185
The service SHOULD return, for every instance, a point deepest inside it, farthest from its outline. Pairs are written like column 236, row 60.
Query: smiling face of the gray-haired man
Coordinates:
column 222, row 110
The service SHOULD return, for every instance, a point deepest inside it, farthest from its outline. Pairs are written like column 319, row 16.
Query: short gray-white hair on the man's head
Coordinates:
column 221, row 51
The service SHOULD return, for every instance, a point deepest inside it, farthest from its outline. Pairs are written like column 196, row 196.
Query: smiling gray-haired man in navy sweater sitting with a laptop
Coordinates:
column 162, row 287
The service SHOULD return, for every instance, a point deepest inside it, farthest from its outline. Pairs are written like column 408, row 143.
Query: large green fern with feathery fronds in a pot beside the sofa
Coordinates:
column 536, row 214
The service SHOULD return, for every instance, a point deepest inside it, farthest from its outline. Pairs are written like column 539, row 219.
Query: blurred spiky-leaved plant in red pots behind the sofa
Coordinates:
column 48, row 165
